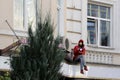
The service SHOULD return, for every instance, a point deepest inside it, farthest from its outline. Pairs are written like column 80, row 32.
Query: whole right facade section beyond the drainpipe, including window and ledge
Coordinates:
column 97, row 23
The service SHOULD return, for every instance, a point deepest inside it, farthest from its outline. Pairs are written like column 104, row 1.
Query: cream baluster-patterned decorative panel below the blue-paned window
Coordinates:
column 99, row 57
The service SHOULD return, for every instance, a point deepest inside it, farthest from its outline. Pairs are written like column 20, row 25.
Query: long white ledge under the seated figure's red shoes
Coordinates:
column 94, row 72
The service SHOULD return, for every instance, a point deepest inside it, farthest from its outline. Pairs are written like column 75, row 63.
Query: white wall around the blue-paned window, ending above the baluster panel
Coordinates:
column 76, row 23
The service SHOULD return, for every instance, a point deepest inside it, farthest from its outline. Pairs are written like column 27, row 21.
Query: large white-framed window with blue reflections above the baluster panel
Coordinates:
column 99, row 25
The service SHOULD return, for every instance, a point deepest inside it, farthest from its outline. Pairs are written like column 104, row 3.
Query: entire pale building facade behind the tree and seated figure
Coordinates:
column 94, row 21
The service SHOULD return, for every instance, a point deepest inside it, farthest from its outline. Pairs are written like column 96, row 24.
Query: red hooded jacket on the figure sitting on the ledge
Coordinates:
column 79, row 51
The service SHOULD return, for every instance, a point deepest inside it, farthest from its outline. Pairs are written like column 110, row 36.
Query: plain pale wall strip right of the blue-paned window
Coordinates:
column 116, row 25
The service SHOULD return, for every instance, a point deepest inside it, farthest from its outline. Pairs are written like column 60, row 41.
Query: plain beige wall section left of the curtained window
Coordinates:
column 6, row 13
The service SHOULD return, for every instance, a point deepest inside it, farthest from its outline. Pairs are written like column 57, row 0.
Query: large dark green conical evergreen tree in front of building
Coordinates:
column 41, row 58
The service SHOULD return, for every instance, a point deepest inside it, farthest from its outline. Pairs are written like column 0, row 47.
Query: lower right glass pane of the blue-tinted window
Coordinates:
column 105, row 33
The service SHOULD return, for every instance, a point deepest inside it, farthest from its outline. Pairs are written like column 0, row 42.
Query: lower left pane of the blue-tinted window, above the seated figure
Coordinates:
column 91, row 32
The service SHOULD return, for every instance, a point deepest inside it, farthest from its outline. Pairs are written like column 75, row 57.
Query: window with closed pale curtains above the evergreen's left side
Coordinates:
column 24, row 13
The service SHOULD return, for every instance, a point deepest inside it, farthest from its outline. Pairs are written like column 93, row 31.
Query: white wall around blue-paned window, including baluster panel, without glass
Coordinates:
column 76, row 28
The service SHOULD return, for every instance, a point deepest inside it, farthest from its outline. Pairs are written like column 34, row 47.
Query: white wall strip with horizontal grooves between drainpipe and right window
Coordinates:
column 73, row 20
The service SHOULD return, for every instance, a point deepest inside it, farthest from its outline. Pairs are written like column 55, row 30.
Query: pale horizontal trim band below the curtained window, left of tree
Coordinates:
column 10, row 33
